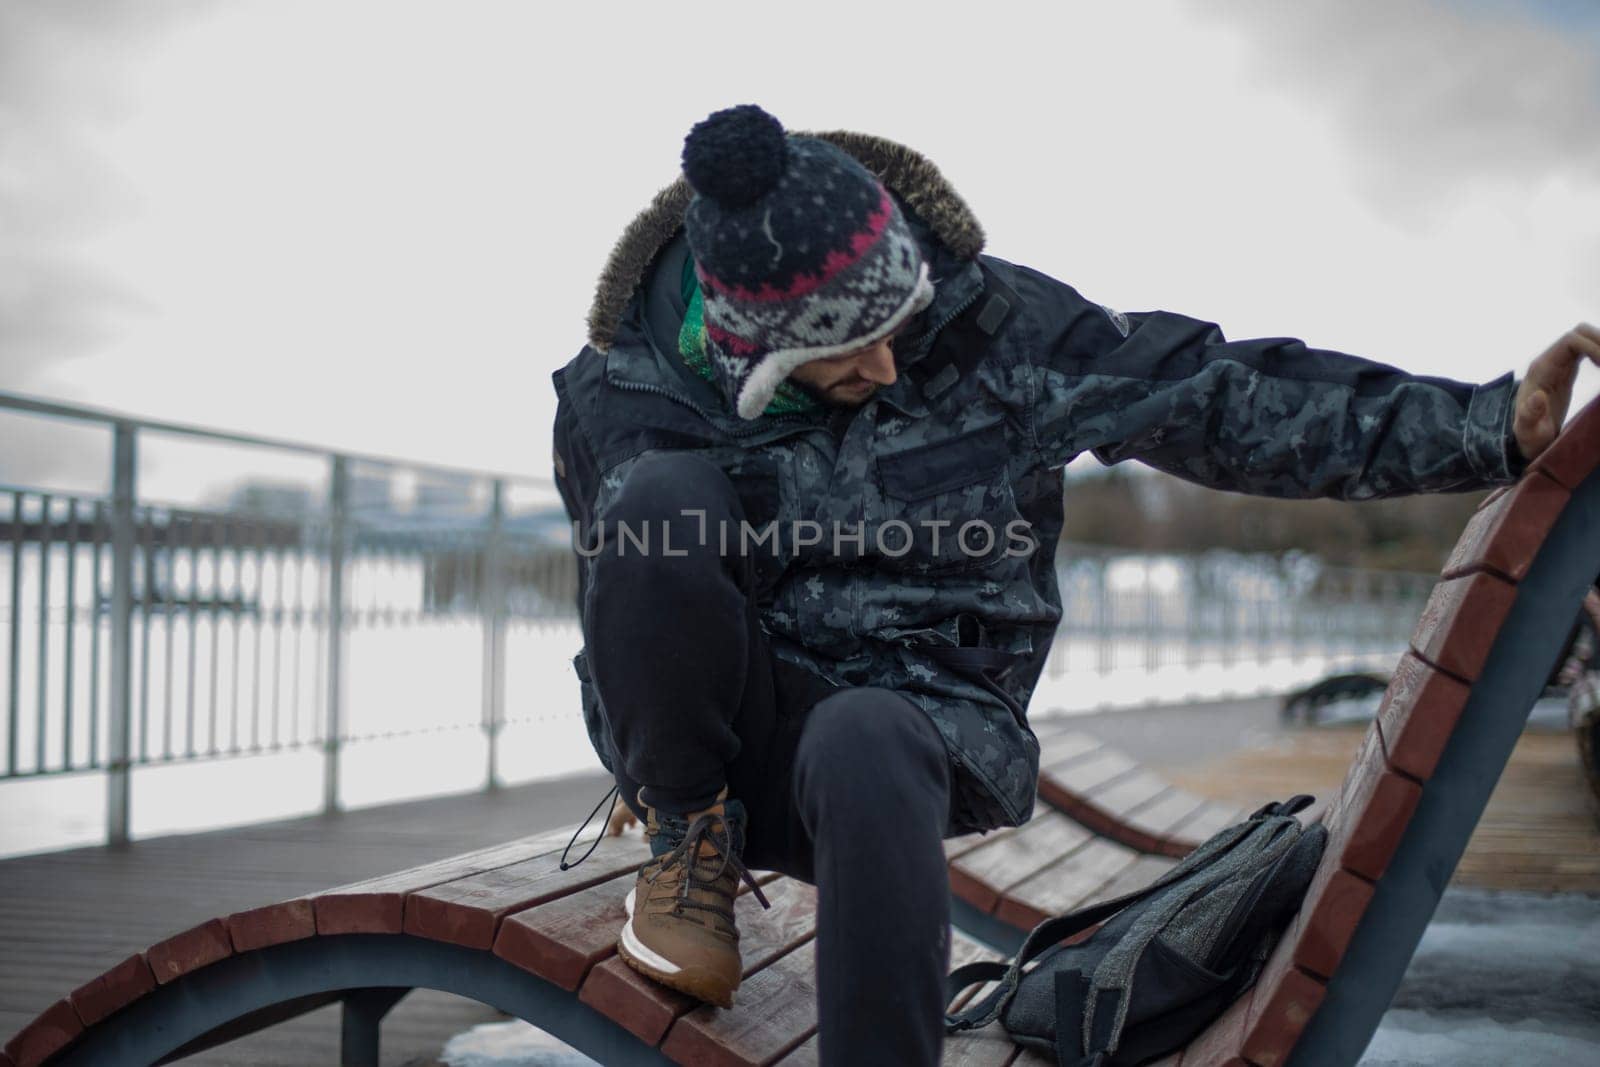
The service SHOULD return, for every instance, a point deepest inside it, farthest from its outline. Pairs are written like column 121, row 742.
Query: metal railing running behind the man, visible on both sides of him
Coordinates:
column 143, row 633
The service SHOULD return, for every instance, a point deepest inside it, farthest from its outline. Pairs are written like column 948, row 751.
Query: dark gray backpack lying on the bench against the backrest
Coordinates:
column 1166, row 961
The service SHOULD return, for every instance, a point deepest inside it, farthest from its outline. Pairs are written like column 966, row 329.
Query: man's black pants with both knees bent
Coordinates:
column 847, row 789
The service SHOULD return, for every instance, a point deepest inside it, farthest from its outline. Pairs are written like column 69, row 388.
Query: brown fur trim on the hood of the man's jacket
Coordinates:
column 903, row 172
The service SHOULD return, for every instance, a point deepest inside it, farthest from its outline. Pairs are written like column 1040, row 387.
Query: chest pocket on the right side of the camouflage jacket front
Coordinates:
column 946, row 503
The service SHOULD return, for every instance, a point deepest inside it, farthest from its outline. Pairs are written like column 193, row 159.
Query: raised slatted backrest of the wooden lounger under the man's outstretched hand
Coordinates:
column 1479, row 660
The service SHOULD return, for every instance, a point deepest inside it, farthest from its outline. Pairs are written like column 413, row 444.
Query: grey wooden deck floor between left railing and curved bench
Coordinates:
column 65, row 917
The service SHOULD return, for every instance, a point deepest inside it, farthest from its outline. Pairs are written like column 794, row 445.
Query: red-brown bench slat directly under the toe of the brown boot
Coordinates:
column 649, row 1009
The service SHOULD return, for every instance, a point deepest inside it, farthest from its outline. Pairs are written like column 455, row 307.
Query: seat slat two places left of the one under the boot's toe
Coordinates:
column 468, row 911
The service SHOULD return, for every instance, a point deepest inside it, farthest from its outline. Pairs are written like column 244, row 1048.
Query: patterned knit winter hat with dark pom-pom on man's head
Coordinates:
column 799, row 250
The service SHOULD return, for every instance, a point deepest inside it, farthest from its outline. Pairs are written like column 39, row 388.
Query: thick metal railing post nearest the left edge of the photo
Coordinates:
column 124, row 492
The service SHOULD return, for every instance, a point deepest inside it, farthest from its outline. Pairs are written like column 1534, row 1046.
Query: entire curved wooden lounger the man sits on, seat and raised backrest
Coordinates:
column 510, row 929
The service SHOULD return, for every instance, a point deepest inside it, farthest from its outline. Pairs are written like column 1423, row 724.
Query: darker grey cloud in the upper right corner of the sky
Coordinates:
column 1438, row 97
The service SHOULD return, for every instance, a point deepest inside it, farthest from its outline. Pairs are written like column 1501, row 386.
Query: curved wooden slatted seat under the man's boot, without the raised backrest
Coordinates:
column 510, row 929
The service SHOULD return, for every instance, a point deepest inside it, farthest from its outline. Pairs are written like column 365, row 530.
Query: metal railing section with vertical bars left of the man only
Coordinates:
column 142, row 633
